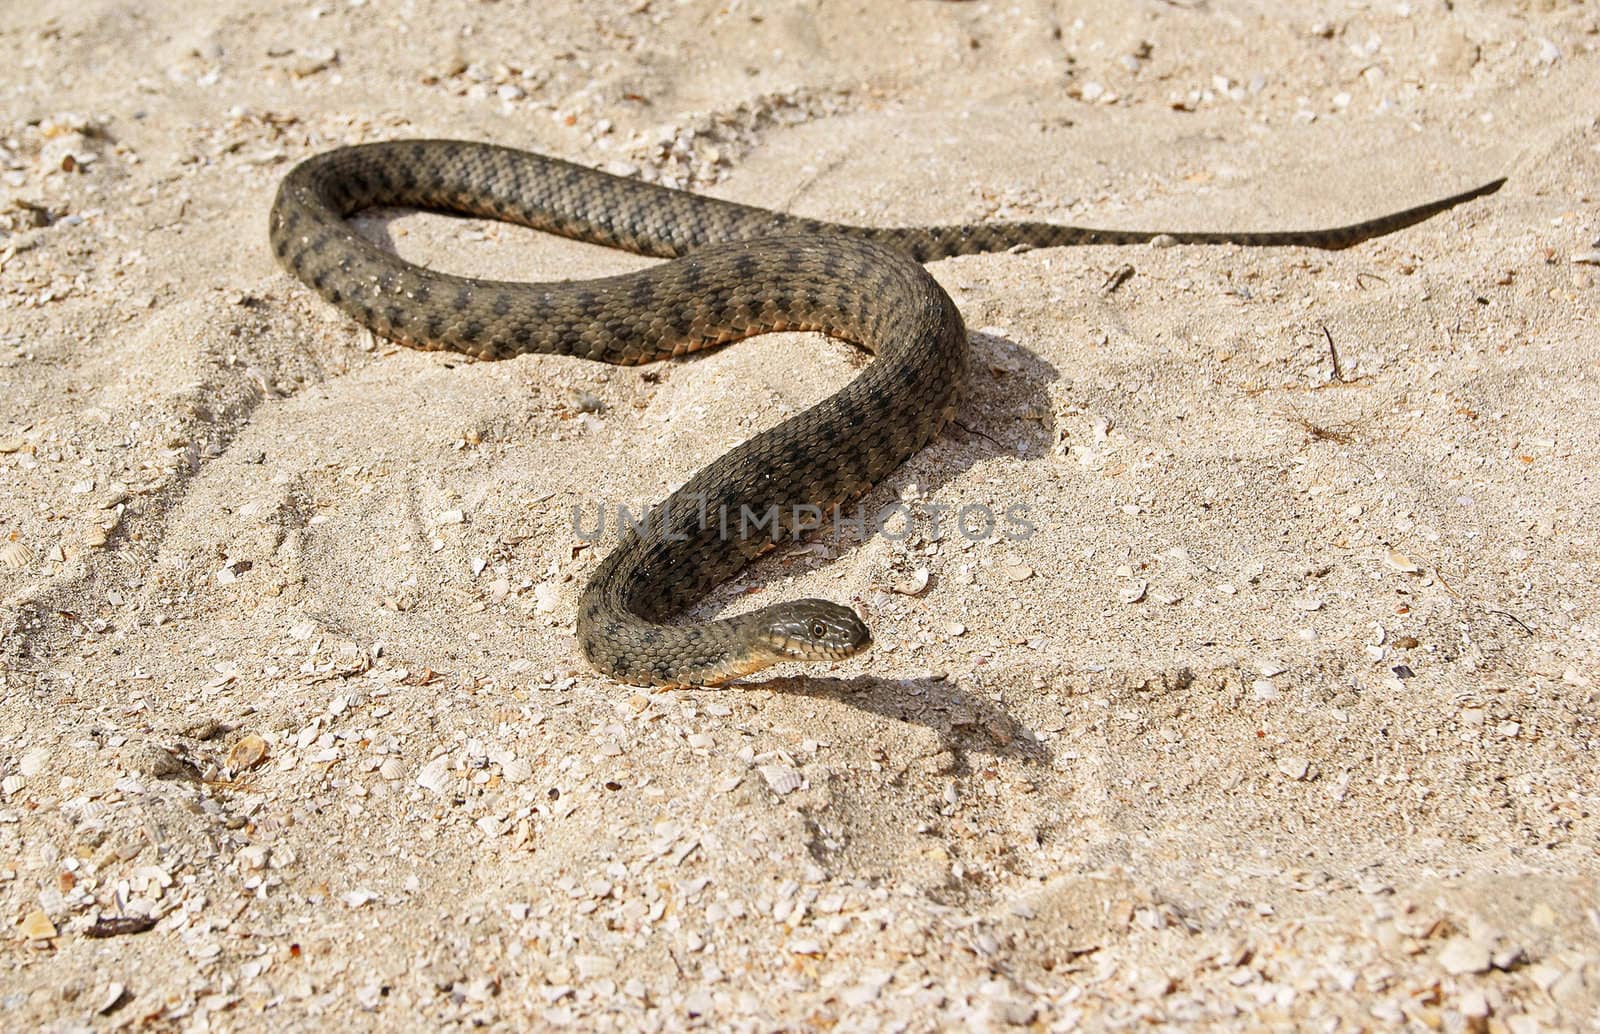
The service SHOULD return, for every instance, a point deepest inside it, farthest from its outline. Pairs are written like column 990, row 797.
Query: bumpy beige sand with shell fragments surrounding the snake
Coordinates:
column 1282, row 719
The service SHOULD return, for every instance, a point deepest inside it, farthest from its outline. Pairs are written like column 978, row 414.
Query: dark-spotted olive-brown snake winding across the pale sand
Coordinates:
column 735, row 271
